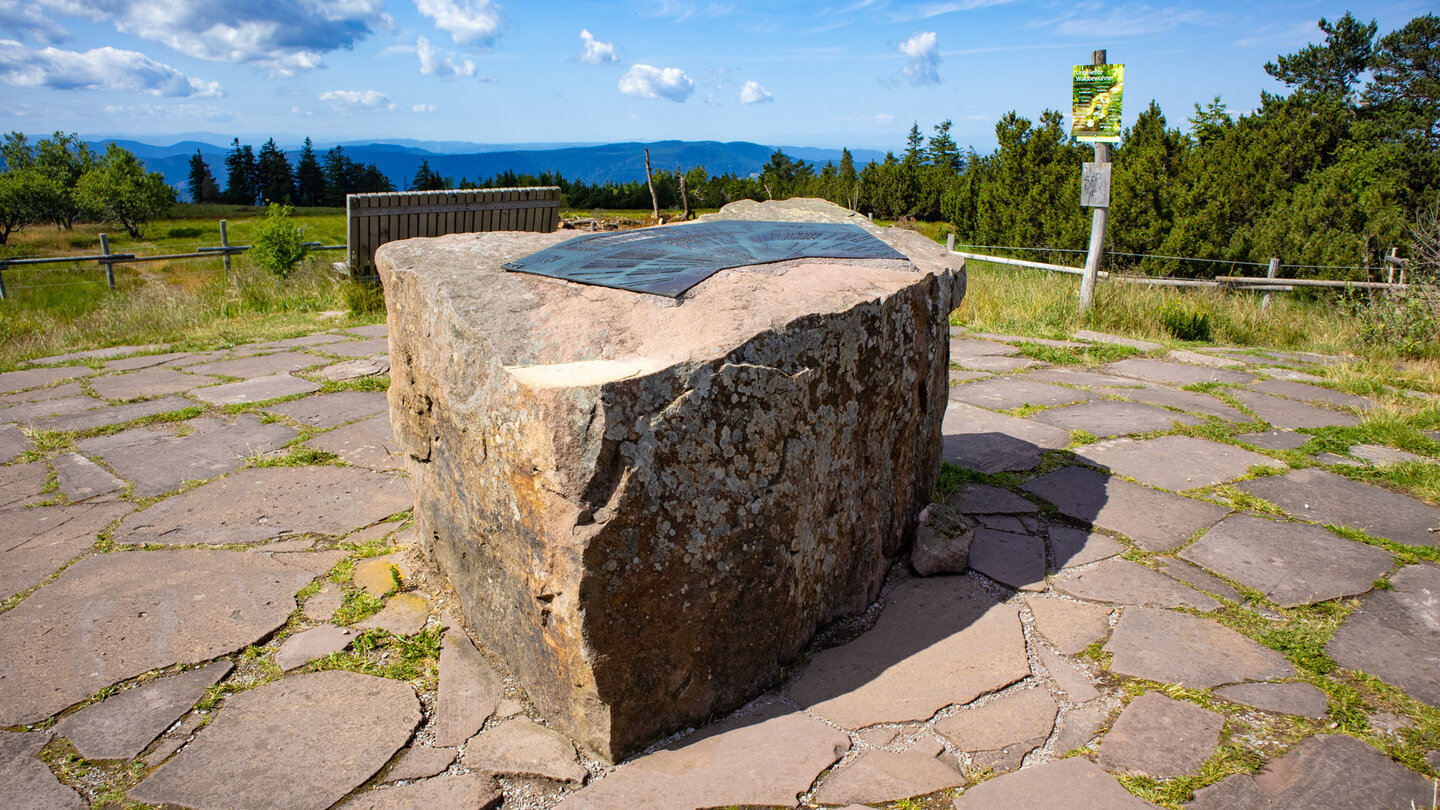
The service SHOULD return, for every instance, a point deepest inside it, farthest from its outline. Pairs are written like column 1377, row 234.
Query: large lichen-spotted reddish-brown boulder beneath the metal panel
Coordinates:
column 649, row 505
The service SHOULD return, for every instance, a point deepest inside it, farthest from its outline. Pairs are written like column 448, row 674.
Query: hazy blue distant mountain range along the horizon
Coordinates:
column 593, row 164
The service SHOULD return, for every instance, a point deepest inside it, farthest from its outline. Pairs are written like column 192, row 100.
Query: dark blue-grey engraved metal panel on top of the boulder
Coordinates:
column 670, row 260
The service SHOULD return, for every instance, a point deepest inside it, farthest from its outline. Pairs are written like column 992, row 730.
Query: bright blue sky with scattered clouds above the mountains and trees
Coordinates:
column 837, row 73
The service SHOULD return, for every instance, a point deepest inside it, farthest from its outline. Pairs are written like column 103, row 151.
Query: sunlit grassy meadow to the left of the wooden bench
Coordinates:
column 186, row 303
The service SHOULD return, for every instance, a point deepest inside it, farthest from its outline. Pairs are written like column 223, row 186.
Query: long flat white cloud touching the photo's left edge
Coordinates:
column 100, row 68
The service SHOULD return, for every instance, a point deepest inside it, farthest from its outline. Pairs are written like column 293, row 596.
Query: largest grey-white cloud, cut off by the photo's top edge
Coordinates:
column 280, row 38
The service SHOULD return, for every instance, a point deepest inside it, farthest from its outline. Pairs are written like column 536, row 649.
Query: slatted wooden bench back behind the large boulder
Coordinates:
column 375, row 220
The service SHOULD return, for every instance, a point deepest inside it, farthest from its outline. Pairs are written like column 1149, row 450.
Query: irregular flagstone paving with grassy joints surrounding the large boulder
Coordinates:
column 212, row 599
